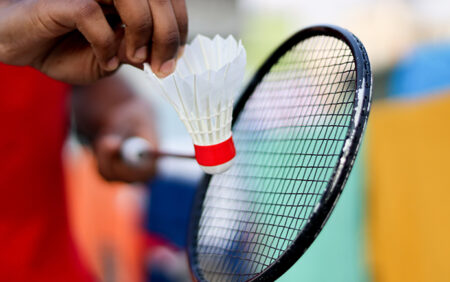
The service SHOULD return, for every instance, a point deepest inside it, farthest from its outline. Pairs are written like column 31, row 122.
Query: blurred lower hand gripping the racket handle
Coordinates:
column 107, row 113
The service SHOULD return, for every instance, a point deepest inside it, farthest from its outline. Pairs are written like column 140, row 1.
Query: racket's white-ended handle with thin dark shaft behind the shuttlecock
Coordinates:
column 136, row 150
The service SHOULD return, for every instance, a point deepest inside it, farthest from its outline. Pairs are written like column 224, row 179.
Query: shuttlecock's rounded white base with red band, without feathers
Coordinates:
column 216, row 158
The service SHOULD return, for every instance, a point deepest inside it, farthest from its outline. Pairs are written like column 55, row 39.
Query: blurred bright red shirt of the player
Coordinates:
column 35, row 243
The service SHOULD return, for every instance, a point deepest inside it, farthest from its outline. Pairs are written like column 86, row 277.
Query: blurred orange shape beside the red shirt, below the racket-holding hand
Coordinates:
column 105, row 219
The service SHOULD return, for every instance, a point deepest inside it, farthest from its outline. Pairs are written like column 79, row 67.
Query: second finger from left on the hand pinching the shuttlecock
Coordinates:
column 136, row 16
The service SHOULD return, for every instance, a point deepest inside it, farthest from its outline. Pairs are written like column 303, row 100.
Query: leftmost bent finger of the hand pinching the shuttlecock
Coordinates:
column 92, row 23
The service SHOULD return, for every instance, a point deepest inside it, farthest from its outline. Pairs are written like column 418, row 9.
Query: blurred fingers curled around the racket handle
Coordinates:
column 112, row 166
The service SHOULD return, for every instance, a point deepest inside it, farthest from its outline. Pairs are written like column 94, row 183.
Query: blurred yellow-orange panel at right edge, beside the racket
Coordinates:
column 409, row 193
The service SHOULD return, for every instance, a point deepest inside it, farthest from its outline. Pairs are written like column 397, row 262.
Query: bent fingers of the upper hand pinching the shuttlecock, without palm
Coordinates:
column 161, row 25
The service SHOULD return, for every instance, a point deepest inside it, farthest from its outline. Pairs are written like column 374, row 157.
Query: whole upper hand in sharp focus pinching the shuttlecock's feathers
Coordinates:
column 72, row 40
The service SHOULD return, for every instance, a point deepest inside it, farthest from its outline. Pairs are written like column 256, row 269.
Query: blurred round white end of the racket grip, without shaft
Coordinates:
column 135, row 150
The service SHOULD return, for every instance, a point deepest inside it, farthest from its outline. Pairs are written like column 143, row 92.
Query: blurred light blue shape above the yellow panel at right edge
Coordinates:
column 423, row 72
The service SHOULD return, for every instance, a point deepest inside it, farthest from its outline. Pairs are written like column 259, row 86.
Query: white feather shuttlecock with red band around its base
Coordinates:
column 201, row 90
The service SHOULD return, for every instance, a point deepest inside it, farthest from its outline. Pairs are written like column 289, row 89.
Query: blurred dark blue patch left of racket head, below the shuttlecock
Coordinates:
column 169, row 208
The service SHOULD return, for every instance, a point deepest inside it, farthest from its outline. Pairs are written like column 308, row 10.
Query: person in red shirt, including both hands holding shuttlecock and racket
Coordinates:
column 76, row 42
